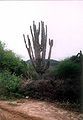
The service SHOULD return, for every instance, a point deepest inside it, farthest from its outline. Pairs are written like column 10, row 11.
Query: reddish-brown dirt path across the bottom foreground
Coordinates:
column 34, row 110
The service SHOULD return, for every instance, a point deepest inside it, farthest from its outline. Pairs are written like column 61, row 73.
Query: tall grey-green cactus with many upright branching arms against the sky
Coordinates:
column 37, row 53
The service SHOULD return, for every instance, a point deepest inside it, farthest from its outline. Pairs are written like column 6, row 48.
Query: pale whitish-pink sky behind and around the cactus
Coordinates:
column 64, row 20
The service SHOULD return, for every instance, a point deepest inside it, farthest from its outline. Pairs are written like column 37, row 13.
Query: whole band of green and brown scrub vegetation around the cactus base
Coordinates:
column 18, row 79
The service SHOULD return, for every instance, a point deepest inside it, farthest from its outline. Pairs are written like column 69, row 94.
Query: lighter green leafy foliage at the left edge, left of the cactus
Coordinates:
column 12, row 68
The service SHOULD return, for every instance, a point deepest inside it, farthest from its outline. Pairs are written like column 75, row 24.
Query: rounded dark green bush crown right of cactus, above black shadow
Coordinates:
column 68, row 69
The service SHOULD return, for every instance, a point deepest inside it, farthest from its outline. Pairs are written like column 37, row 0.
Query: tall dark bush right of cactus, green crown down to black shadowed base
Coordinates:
column 69, row 70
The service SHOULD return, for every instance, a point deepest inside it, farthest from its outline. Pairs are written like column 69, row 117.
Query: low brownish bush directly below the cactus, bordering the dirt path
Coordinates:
column 43, row 89
